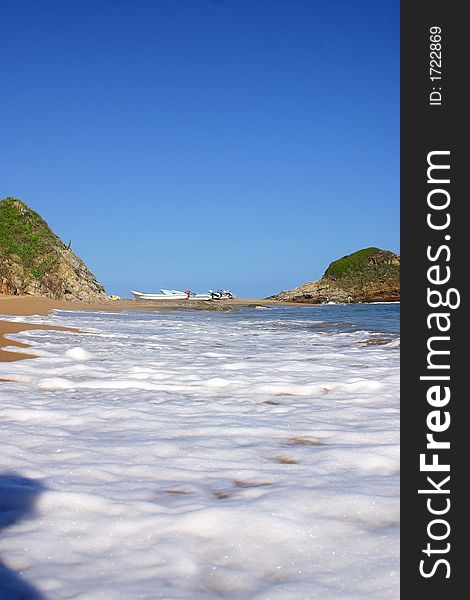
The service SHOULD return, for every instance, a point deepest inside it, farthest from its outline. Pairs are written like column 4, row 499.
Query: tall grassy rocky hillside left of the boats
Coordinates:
column 34, row 260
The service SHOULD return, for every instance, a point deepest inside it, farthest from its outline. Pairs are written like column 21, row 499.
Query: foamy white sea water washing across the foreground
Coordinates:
column 204, row 455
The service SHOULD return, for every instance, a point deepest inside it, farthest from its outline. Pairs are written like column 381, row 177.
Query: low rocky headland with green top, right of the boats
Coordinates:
column 368, row 275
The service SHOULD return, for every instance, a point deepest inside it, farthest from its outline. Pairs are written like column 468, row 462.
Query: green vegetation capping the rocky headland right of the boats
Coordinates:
column 364, row 266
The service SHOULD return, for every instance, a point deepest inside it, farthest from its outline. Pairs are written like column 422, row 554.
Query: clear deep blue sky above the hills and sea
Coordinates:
column 204, row 143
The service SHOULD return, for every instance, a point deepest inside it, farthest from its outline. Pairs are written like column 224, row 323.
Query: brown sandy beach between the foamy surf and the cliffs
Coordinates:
column 18, row 306
